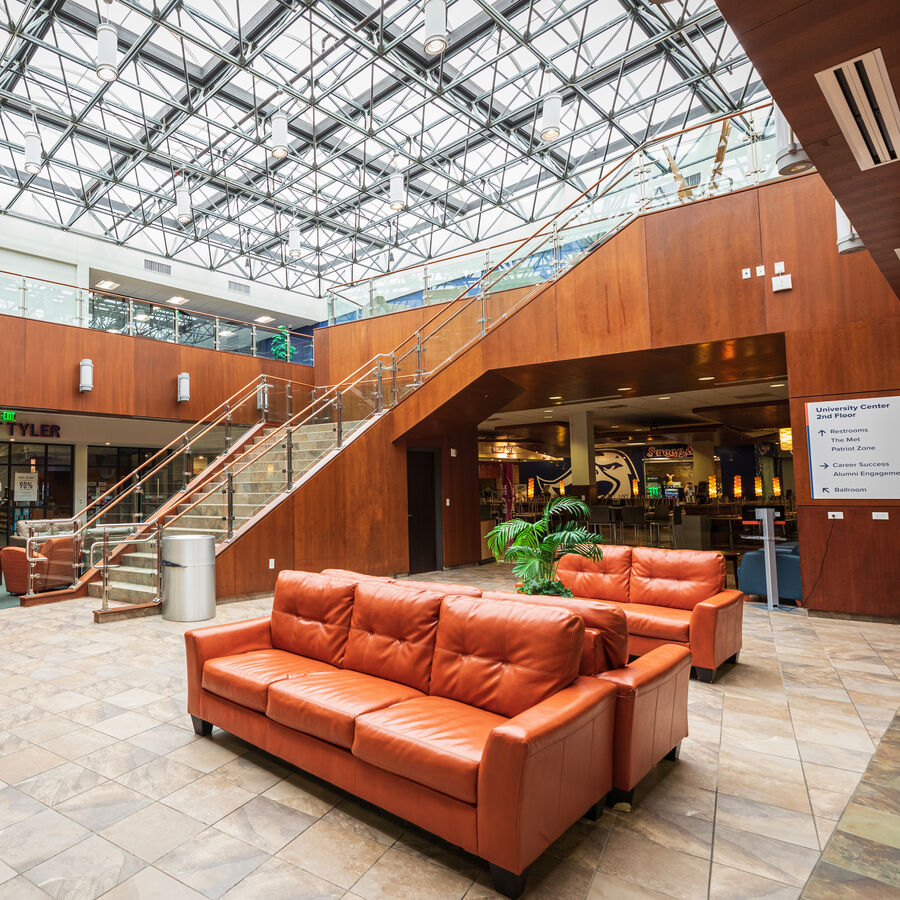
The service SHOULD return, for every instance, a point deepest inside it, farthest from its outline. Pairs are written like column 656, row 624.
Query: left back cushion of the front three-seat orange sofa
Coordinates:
column 311, row 615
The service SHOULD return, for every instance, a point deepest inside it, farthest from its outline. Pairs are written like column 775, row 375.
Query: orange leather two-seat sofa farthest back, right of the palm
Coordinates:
column 668, row 597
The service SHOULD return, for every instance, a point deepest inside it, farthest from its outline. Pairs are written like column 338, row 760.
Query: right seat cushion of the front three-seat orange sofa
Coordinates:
column 433, row 741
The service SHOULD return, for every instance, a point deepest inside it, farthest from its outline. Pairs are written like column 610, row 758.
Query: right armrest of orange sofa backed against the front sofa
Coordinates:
column 651, row 711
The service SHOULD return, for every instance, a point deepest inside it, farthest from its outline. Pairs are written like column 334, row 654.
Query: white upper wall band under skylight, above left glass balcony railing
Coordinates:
column 46, row 248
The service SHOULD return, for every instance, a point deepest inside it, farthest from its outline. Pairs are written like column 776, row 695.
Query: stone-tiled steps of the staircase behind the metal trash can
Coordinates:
column 134, row 579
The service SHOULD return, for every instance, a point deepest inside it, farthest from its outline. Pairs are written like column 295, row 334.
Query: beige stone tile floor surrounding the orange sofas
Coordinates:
column 105, row 791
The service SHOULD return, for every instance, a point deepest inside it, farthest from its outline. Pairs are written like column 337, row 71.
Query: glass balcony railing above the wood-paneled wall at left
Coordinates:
column 51, row 301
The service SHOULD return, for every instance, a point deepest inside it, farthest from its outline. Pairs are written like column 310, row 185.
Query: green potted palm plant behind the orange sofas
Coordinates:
column 535, row 550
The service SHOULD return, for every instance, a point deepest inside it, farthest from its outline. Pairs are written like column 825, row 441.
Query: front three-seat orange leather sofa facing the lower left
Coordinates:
column 465, row 716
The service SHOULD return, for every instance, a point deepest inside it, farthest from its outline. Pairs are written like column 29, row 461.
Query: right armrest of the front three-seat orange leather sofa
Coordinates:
column 542, row 770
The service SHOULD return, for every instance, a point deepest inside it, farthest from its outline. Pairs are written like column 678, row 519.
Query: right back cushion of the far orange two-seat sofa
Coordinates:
column 676, row 578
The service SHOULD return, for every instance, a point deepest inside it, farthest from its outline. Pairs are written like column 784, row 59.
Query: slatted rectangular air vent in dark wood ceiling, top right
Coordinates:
column 863, row 101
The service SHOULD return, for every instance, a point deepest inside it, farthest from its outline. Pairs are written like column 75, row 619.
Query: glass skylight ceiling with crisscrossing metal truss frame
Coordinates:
column 199, row 79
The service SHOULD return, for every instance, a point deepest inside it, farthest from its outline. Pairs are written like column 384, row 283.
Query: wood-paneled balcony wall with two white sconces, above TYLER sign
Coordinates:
column 132, row 376
